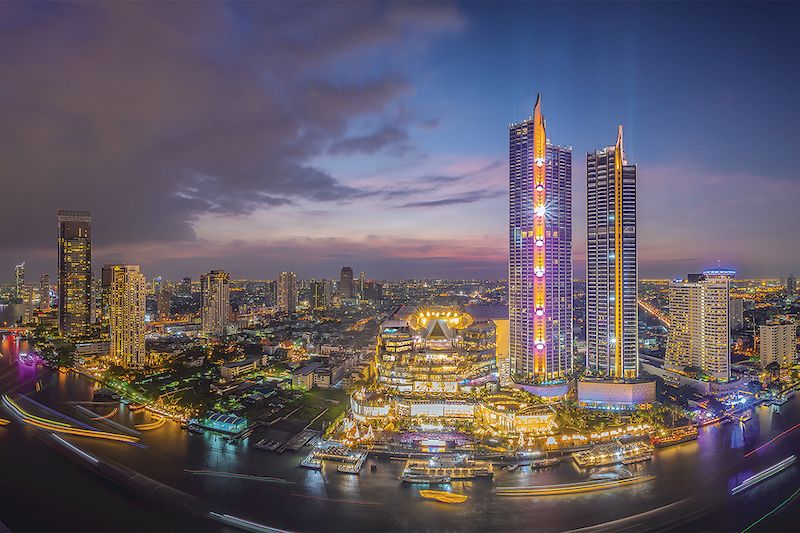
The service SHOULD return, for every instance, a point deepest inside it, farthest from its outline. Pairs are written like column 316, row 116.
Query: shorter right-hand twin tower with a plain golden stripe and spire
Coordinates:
column 612, row 273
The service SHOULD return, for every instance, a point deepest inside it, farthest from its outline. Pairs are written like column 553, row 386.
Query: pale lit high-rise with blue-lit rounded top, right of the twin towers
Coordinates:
column 699, row 335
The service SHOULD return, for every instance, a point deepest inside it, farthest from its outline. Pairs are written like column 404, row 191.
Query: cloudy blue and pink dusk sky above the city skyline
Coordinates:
column 260, row 137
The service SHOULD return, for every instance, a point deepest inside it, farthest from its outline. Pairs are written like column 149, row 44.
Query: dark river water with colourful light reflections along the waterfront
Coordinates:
column 43, row 489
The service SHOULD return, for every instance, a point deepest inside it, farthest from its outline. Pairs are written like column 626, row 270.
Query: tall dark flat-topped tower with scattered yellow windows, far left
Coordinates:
column 74, row 272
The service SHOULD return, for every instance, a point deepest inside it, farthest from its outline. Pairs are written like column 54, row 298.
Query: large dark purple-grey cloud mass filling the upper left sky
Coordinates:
column 152, row 115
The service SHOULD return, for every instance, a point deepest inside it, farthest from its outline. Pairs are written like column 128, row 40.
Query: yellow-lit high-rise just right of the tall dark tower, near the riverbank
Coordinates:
column 127, row 293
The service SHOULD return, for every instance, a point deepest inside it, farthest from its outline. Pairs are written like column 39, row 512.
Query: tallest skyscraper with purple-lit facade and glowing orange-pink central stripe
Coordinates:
column 540, row 262
